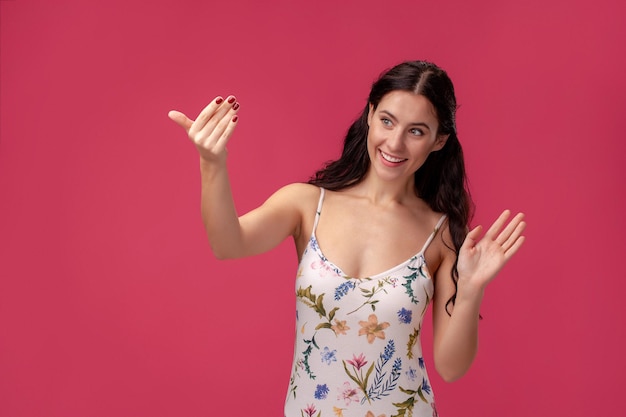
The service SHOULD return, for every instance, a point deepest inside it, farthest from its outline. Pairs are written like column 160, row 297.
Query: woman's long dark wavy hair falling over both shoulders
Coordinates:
column 441, row 181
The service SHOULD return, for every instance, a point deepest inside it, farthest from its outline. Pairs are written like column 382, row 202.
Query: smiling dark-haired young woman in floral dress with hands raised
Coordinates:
column 380, row 233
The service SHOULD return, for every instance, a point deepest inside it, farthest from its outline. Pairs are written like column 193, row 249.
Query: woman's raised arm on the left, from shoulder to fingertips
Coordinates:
column 231, row 236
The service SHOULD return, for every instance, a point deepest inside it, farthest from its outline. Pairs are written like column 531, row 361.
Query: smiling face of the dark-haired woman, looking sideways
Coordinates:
column 402, row 133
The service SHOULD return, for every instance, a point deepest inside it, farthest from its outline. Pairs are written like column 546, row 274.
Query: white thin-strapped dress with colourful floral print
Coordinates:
column 357, row 348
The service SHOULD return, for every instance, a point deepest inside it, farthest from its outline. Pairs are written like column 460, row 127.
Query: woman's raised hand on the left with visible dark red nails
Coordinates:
column 212, row 128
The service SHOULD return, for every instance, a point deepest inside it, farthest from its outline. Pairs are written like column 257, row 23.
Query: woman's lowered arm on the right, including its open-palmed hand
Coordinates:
column 480, row 260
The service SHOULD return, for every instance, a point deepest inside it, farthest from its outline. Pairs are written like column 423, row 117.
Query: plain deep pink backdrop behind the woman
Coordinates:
column 110, row 301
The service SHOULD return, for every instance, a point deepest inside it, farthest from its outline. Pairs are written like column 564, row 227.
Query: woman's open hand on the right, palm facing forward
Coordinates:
column 480, row 259
